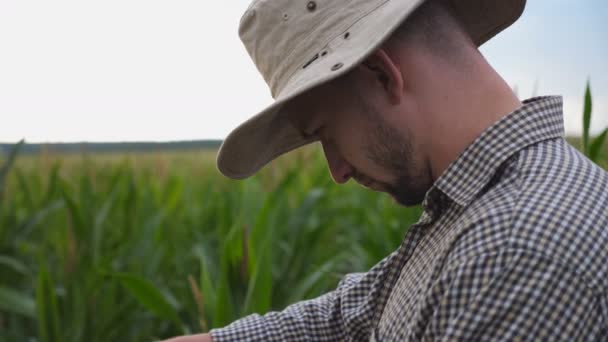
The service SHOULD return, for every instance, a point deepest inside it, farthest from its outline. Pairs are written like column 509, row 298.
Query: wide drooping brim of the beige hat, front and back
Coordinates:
column 270, row 134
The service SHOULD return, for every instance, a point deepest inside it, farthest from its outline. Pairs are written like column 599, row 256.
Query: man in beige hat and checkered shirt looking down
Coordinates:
column 513, row 241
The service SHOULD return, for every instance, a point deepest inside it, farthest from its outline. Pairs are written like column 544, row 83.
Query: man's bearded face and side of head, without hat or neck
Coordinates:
column 374, row 123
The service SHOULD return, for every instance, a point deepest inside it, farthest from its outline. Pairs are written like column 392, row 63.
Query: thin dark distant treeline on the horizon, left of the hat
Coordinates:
column 86, row 147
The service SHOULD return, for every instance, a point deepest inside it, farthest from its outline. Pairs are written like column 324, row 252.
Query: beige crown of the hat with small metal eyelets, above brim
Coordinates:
column 282, row 36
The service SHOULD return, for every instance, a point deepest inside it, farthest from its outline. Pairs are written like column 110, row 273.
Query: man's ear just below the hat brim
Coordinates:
column 388, row 74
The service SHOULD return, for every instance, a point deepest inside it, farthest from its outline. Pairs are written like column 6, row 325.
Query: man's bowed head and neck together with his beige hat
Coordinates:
column 392, row 89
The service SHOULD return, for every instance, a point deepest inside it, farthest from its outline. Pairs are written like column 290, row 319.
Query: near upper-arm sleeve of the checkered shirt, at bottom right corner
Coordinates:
column 515, row 296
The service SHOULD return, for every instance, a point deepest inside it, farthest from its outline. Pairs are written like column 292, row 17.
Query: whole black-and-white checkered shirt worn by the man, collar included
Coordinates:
column 512, row 245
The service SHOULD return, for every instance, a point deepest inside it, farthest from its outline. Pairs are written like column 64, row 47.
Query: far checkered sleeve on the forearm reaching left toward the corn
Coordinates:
column 344, row 314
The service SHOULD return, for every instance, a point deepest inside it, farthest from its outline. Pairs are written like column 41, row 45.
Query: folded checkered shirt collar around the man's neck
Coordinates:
column 537, row 120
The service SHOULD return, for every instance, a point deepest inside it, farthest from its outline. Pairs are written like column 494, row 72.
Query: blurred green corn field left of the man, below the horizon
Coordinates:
column 149, row 246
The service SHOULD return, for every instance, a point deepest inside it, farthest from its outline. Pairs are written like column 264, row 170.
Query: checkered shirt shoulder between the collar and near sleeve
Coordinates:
column 551, row 201
